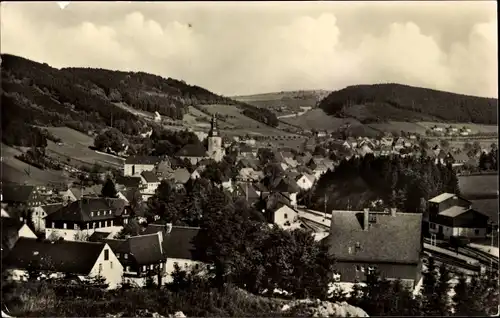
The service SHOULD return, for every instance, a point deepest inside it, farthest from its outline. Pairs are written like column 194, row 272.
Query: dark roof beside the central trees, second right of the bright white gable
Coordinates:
column 181, row 243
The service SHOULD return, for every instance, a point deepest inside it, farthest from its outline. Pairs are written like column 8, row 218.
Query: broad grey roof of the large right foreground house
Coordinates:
column 394, row 239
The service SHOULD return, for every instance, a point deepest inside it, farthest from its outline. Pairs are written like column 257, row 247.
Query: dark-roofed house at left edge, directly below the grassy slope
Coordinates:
column 21, row 195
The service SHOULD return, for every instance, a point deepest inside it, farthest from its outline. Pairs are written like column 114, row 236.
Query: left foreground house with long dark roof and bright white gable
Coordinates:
column 62, row 258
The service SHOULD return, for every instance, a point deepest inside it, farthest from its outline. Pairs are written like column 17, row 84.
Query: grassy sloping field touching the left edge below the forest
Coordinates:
column 14, row 170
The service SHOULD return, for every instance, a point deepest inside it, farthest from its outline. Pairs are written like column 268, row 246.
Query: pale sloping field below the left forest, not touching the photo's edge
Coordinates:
column 75, row 149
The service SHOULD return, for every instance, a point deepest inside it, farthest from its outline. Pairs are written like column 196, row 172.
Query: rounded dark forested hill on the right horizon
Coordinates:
column 406, row 103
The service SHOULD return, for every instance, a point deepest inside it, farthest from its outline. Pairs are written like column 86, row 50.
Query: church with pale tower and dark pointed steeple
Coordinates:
column 196, row 153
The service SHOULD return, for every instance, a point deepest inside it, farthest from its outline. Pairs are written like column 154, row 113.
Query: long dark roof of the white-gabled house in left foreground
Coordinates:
column 62, row 256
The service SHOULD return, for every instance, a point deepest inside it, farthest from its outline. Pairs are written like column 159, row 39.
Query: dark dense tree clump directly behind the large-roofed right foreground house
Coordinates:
column 384, row 182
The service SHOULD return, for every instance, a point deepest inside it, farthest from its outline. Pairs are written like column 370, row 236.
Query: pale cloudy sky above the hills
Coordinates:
column 239, row 48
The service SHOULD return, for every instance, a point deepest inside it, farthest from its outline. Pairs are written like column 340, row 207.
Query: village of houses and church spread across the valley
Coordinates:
column 78, row 231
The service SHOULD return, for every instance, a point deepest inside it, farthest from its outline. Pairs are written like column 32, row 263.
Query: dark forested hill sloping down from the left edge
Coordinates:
column 86, row 99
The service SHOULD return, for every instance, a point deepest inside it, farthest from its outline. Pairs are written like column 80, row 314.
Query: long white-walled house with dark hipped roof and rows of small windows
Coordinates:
column 85, row 216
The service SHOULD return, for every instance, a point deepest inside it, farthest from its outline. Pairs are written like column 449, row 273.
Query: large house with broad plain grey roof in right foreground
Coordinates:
column 364, row 241
